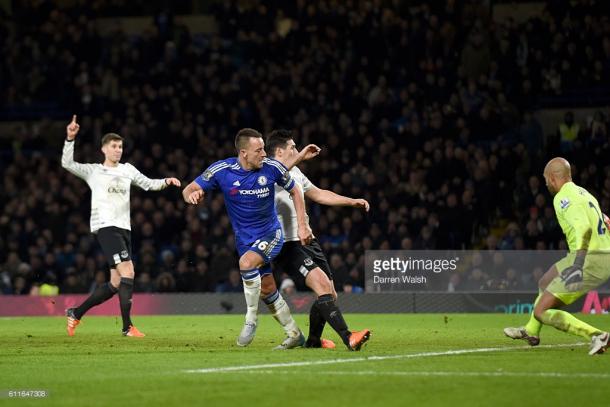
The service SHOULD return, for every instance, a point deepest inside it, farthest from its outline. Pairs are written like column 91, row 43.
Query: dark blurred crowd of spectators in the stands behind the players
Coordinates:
column 426, row 112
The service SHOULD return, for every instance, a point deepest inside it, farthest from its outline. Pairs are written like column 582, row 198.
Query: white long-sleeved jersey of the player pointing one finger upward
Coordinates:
column 110, row 188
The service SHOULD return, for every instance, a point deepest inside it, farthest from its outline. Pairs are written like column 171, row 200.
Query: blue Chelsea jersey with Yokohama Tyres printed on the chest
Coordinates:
column 249, row 195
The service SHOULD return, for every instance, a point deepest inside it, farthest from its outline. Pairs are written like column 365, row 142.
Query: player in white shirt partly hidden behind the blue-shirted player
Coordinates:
column 308, row 261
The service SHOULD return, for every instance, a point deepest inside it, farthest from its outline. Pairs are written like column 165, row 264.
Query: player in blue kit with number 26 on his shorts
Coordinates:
column 247, row 183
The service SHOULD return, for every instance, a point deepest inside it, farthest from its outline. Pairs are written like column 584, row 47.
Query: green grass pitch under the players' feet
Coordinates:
column 100, row 367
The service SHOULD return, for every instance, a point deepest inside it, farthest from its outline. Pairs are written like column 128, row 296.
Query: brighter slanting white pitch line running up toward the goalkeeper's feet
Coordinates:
column 372, row 358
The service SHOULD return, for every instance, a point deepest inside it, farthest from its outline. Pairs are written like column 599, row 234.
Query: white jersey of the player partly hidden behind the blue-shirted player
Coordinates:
column 286, row 212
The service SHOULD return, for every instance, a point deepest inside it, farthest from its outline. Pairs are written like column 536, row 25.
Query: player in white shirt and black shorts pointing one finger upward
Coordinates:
column 110, row 184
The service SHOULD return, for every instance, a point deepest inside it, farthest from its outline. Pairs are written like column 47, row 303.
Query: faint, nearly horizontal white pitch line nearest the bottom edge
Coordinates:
column 554, row 375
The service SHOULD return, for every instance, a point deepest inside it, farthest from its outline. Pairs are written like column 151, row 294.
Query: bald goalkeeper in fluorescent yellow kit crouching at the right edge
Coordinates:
column 583, row 269
